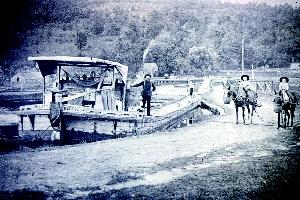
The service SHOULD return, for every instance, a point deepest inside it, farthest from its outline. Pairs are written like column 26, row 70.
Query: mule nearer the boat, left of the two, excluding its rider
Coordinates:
column 240, row 100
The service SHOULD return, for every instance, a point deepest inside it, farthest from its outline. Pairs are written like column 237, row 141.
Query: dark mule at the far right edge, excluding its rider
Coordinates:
column 288, row 104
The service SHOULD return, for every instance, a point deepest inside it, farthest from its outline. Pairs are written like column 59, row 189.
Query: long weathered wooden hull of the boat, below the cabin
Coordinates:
column 78, row 124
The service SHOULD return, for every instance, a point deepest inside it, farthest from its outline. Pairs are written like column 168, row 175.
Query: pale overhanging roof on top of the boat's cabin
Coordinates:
column 48, row 64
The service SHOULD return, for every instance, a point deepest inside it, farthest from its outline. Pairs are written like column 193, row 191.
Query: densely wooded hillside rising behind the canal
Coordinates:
column 182, row 37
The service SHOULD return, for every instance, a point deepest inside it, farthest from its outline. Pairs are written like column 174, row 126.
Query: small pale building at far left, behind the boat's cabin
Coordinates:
column 27, row 80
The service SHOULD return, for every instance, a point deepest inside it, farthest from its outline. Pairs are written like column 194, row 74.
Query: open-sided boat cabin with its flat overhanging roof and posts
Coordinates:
column 84, row 82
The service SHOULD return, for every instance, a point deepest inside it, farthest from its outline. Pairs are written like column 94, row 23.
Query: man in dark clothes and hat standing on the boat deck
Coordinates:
column 148, row 88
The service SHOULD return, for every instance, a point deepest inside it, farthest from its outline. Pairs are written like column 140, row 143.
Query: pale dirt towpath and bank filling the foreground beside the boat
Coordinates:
column 215, row 159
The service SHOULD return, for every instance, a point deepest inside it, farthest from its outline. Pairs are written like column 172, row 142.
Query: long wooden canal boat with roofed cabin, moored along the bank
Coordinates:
column 82, row 104
